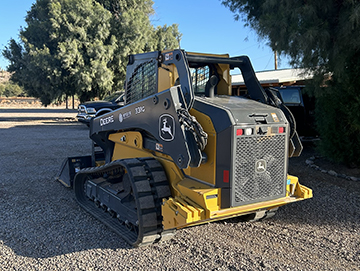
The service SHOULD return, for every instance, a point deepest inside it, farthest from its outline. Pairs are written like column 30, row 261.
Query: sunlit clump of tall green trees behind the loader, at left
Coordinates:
column 80, row 47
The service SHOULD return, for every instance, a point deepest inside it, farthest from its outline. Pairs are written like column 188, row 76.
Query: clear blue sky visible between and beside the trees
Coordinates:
column 206, row 26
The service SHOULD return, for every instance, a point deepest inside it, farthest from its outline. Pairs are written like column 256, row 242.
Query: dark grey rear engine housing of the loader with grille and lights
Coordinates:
column 251, row 149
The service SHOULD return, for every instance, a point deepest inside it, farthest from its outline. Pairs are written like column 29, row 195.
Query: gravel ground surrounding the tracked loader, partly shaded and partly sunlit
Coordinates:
column 43, row 228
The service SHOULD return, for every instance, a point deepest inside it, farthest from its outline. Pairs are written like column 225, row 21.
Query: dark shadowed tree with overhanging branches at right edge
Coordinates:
column 324, row 37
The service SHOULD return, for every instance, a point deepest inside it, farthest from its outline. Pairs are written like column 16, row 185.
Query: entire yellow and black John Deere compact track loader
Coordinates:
column 184, row 151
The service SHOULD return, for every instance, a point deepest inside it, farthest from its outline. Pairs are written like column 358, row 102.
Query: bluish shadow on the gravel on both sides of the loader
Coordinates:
column 40, row 218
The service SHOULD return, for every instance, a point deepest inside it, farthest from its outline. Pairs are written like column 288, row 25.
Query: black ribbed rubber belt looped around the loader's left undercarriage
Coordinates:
column 149, row 184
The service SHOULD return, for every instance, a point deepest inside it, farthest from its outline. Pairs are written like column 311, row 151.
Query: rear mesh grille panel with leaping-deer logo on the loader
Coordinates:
column 259, row 170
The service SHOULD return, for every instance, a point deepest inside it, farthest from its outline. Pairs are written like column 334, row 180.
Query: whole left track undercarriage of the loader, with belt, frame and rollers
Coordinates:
column 126, row 195
